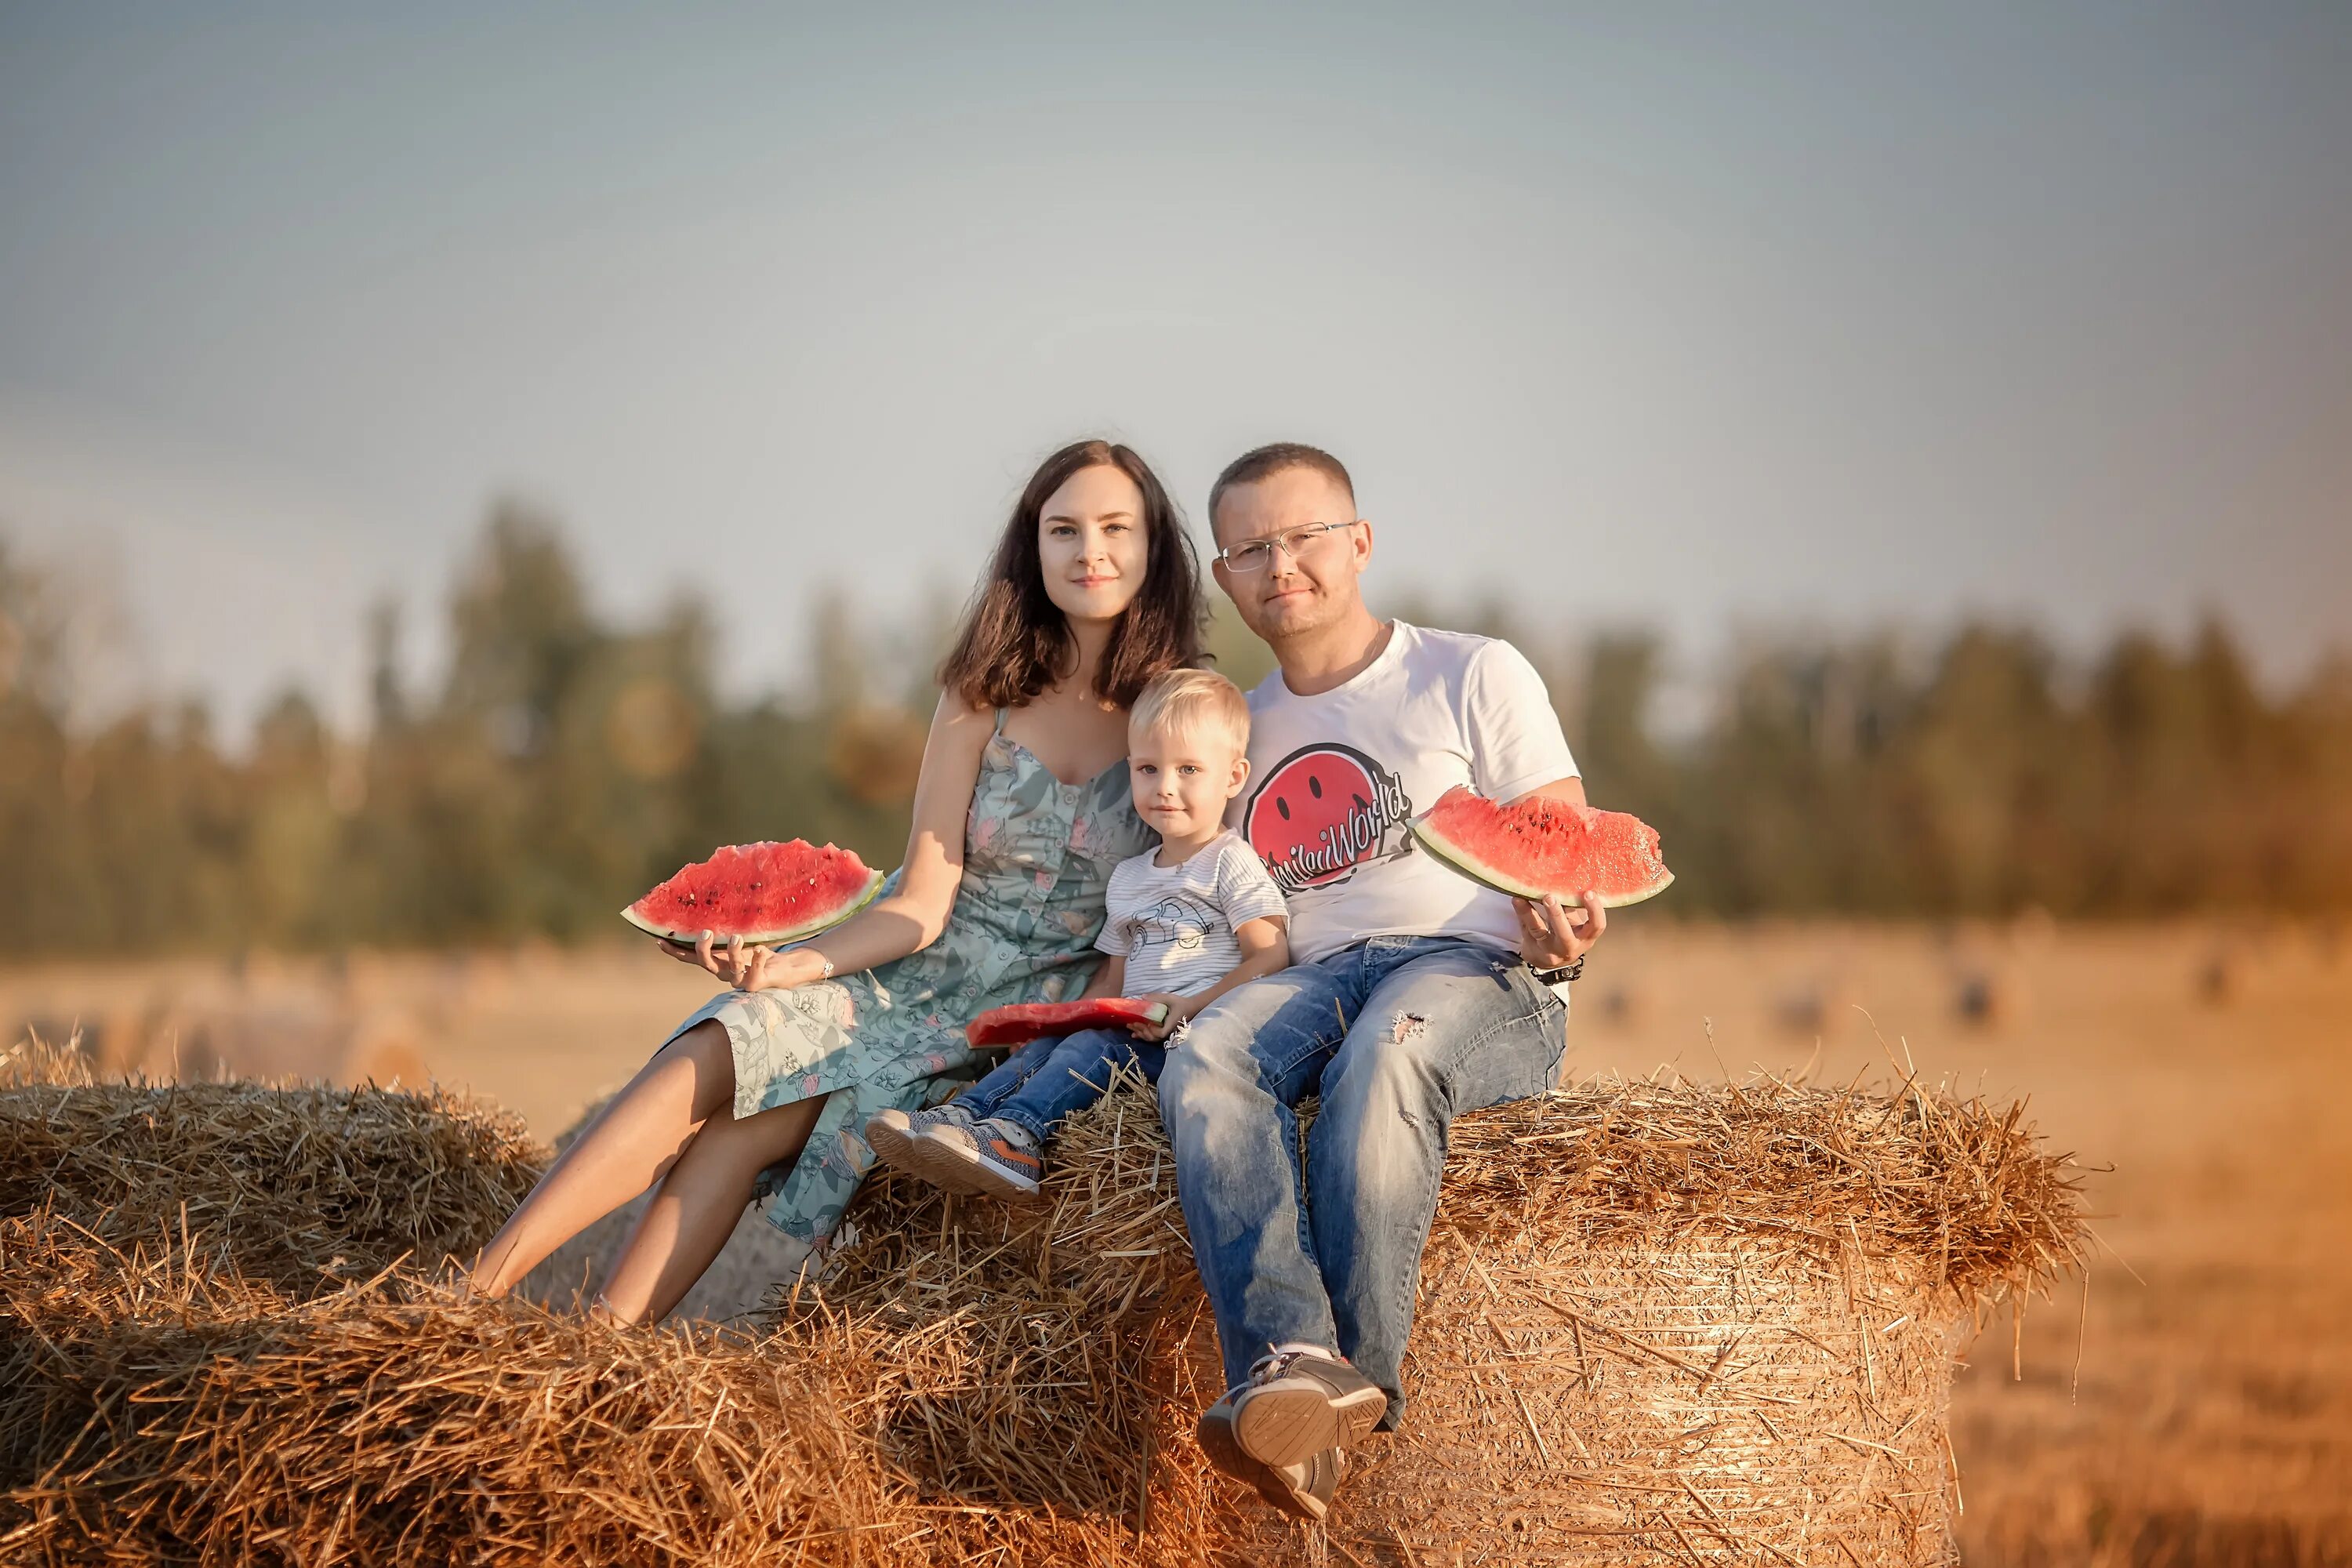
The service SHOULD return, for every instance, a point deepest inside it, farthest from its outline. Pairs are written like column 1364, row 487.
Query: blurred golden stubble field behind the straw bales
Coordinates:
column 2193, row 1407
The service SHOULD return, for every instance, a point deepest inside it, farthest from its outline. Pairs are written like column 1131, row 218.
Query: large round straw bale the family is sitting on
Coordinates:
column 1657, row 1325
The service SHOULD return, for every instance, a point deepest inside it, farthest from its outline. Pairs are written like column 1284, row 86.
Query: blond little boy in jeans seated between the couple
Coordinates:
column 1184, row 927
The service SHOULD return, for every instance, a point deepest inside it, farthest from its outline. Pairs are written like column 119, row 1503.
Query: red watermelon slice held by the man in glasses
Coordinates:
column 1539, row 847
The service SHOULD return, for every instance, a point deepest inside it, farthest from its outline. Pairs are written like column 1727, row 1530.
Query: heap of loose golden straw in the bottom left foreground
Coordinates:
column 173, row 1414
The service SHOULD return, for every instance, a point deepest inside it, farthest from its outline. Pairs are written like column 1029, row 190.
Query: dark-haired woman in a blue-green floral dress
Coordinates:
column 1022, row 810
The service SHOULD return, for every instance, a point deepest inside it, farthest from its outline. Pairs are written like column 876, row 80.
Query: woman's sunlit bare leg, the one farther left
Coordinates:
column 632, row 1144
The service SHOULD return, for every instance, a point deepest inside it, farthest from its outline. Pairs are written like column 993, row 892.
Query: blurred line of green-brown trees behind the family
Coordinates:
column 568, row 763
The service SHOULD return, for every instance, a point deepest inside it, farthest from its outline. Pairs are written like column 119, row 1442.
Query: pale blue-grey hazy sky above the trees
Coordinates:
column 1702, row 316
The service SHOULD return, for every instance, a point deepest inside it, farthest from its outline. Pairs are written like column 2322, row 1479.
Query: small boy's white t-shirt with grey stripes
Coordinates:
column 1175, row 923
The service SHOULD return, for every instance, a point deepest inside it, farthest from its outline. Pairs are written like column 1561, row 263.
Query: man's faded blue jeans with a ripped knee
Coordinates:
column 1398, row 1036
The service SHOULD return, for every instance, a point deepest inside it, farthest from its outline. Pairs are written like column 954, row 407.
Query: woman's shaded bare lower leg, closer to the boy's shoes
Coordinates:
column 697, row 1207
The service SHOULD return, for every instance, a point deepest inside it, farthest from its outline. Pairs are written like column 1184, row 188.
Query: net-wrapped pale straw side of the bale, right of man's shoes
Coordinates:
column 1631, row 1405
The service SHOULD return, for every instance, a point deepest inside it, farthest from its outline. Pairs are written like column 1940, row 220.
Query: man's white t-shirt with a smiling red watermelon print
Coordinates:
column 1335, row 777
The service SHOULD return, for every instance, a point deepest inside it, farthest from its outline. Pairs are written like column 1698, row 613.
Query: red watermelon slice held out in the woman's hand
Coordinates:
column 759, row 892
